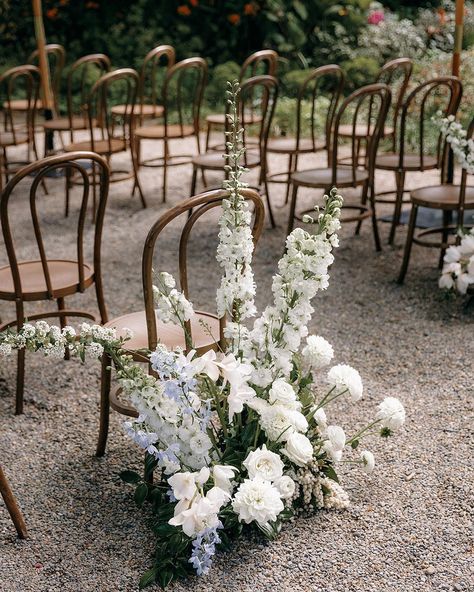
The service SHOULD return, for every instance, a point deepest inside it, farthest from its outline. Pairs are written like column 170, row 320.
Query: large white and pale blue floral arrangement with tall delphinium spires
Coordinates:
column 237, row 438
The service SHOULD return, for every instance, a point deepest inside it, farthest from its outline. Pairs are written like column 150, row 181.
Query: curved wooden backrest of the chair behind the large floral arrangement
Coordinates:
column 192, row 209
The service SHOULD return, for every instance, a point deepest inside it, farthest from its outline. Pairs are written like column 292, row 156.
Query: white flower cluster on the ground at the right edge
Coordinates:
column 458, row 268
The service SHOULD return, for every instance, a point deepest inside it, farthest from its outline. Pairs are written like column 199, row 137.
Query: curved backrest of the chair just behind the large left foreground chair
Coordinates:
column 120, row 85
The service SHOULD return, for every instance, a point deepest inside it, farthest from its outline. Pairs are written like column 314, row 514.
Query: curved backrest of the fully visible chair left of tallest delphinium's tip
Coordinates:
column 183, row 89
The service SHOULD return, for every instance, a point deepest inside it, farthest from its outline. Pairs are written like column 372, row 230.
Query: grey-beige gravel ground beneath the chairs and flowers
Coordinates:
column 409, row 525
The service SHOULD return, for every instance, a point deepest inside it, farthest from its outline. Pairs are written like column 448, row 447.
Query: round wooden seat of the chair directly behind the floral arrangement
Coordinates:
column 169, row 334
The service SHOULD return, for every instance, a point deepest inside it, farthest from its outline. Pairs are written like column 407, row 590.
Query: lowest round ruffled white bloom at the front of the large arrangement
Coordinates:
column 257, row 500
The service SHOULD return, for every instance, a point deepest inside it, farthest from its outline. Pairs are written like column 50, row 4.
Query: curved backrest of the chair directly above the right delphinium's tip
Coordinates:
column 376, row 99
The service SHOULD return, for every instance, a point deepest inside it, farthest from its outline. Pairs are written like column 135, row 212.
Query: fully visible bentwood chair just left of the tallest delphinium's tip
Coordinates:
column 182, row 95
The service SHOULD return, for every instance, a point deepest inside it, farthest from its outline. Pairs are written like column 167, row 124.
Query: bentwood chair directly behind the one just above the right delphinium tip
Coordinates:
column 324, row 82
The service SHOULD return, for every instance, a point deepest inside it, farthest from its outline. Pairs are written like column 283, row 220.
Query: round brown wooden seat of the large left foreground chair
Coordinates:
column 64, row 276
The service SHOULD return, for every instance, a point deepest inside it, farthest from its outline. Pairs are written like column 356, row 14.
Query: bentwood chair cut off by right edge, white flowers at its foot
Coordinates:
column 451, row 200
